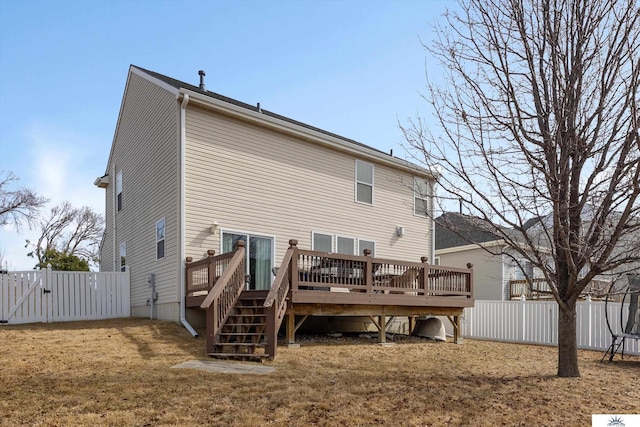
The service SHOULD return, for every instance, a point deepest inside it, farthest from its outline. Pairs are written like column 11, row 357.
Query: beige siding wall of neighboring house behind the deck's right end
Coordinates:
column 488, row 277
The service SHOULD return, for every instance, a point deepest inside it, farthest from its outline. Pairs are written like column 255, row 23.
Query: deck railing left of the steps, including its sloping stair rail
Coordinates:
column 226, row 274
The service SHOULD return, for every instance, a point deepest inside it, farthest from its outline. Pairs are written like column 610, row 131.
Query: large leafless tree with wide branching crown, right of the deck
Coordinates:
column 539, row 110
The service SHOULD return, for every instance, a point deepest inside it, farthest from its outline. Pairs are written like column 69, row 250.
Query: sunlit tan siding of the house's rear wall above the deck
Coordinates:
column 250, row 178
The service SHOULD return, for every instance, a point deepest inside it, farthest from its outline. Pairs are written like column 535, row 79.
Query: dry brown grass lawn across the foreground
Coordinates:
column 118, row 372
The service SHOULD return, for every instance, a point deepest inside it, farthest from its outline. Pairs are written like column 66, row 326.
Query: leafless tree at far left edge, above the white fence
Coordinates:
column 17, row 206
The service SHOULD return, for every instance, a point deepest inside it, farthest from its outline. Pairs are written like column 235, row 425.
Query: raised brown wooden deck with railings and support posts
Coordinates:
column 310, row 283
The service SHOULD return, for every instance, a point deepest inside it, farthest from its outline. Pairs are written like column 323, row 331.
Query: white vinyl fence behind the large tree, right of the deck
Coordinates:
column 536, row 322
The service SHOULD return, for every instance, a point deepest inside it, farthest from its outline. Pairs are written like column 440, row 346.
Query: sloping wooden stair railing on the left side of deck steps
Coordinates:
column 224, row 294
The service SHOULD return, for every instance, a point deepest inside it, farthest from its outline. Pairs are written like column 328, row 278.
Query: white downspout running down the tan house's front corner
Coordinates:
column 181, row 216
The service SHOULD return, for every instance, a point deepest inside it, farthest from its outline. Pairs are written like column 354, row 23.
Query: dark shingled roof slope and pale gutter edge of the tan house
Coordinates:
column 177, row 84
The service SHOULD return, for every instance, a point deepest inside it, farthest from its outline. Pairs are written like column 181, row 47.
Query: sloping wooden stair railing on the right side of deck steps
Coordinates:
column 276, row 301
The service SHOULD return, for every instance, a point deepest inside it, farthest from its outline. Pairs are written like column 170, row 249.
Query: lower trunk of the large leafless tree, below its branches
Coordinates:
column 567, row 342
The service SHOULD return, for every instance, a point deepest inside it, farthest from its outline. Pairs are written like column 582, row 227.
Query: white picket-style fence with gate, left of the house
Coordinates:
column 61, row 296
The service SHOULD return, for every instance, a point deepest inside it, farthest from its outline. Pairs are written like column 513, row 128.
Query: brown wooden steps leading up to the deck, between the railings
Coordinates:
column 243, row 336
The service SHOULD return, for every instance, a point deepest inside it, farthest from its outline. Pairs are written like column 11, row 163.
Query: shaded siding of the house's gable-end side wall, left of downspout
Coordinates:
column 146, row 151
